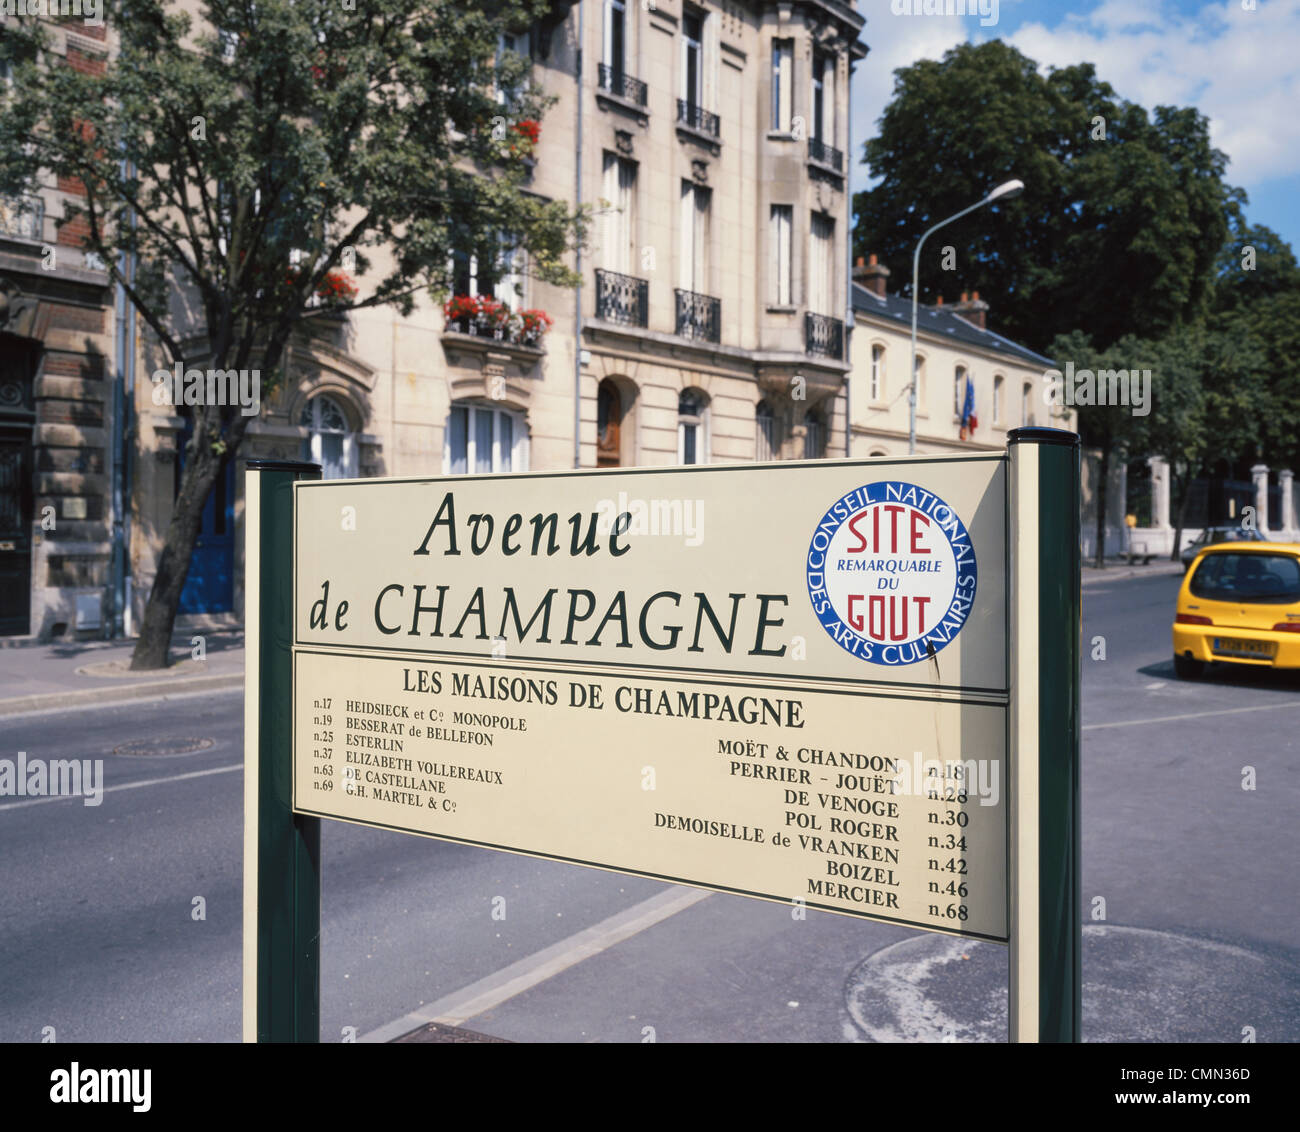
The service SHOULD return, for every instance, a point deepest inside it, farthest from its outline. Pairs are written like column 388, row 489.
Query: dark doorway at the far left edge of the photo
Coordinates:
column 19, row 359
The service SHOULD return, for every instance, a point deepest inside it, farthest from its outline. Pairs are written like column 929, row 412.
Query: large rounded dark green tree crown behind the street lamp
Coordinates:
column 1121, row 222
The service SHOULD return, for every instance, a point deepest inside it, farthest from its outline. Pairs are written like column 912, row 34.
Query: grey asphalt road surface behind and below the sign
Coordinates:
column 99, row 938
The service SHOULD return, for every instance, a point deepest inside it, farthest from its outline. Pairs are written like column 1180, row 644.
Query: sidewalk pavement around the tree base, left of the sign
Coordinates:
column 73, row 674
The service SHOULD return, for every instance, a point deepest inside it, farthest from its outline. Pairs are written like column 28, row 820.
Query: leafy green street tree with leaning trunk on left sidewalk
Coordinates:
column 248, row 158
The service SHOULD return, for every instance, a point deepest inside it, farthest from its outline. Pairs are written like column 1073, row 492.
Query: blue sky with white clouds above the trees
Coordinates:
column 1238, row 62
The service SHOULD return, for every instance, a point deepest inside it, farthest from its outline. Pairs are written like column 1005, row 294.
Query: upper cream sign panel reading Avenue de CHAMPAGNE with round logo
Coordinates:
column 838, row 571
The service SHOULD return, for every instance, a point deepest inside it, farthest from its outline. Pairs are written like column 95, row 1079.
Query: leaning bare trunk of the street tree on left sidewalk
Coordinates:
column 202, row 467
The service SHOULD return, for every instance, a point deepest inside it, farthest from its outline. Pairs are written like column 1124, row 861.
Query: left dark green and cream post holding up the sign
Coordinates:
column 283, row 888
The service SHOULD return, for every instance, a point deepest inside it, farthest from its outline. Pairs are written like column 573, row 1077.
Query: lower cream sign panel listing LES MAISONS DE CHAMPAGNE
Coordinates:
column 883, row 806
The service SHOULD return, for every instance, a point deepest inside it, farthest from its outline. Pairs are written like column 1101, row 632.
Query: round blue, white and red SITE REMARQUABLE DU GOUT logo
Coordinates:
column 891, row 572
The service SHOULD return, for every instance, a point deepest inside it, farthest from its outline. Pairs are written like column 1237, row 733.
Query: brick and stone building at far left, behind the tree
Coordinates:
column 59, row 400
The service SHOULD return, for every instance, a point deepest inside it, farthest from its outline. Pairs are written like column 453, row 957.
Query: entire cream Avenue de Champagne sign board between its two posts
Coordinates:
column 788, row 680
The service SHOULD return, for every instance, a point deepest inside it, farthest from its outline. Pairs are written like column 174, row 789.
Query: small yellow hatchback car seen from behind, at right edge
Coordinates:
column 1240, row 605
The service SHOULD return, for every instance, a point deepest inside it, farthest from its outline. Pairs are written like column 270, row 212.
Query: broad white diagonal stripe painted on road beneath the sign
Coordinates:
column 502, row 986
